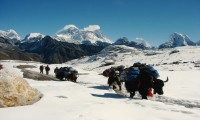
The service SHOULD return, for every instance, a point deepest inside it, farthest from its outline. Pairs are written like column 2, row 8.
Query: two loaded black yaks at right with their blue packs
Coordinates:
column 139, row 77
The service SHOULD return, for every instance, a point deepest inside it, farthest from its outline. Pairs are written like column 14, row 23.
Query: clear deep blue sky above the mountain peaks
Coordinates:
column 152, row 20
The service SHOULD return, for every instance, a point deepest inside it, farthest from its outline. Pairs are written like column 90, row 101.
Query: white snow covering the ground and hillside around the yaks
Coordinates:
column 91, row 99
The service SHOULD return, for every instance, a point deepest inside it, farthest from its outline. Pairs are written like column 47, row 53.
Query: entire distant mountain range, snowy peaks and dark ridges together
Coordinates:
column 71, row 43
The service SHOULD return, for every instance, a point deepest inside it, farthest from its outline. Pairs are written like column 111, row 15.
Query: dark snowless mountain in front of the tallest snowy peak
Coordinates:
column 53, row 51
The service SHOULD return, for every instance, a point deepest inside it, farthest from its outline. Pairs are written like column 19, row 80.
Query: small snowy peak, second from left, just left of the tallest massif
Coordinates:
column 33, row 37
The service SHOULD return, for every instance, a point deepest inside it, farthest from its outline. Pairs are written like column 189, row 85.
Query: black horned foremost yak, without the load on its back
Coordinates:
column 143, row 83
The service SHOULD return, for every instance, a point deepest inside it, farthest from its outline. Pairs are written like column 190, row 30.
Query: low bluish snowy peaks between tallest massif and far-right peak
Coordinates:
column 139, row 43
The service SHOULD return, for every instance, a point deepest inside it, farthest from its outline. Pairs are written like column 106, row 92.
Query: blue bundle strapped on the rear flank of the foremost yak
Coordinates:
column 133, row 73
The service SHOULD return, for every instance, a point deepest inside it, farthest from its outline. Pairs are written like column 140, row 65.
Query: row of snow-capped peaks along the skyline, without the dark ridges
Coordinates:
column 91, row 35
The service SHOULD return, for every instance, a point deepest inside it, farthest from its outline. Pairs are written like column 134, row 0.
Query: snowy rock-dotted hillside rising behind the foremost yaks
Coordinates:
column 186, row 58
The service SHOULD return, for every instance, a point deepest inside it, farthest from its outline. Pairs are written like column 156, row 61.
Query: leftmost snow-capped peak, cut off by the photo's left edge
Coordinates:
column 11, row 34
